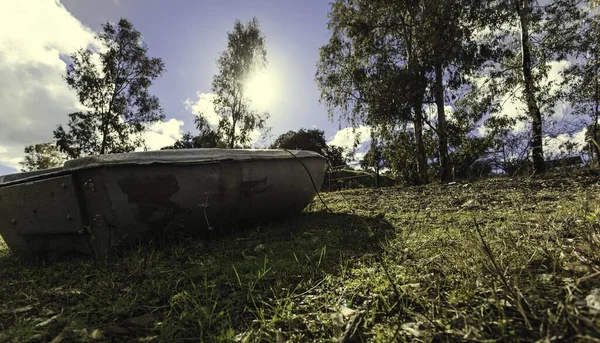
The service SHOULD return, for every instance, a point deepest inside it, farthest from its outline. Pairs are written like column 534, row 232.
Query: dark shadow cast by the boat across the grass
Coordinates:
column 206, row 289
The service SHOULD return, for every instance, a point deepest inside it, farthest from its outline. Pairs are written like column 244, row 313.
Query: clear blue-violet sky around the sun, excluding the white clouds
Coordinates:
column 188, row 35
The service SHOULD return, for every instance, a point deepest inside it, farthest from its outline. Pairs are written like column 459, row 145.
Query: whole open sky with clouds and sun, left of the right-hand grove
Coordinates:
column 36, row 35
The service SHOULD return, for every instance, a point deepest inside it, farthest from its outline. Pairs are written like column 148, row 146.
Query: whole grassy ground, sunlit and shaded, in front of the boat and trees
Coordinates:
column 494, row 260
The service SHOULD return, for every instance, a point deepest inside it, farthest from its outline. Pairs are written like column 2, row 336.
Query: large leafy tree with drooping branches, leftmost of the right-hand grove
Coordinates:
column 371, row 71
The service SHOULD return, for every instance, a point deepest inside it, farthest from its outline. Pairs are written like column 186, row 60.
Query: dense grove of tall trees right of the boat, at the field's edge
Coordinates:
column 432, row 78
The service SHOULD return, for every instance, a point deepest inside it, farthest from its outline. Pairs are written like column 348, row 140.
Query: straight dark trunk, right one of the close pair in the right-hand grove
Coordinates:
column 445, row 174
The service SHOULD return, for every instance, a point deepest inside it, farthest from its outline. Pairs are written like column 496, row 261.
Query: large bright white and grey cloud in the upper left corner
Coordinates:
column 34, row 98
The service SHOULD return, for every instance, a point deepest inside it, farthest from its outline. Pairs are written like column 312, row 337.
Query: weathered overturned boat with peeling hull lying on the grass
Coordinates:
column 94, row 203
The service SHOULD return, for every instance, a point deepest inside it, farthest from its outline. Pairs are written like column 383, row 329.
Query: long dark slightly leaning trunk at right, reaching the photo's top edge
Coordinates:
column 532, row 107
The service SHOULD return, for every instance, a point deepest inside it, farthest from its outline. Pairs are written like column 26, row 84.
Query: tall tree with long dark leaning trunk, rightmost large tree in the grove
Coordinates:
column 545, row 34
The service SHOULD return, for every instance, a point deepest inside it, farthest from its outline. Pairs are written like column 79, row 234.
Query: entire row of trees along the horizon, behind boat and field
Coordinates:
column 432, row 79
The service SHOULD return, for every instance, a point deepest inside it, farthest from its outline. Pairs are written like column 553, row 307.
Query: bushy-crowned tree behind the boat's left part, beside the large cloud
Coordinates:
column 115, row 92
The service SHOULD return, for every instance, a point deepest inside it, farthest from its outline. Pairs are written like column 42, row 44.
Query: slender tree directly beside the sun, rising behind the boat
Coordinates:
column 244, row 56
